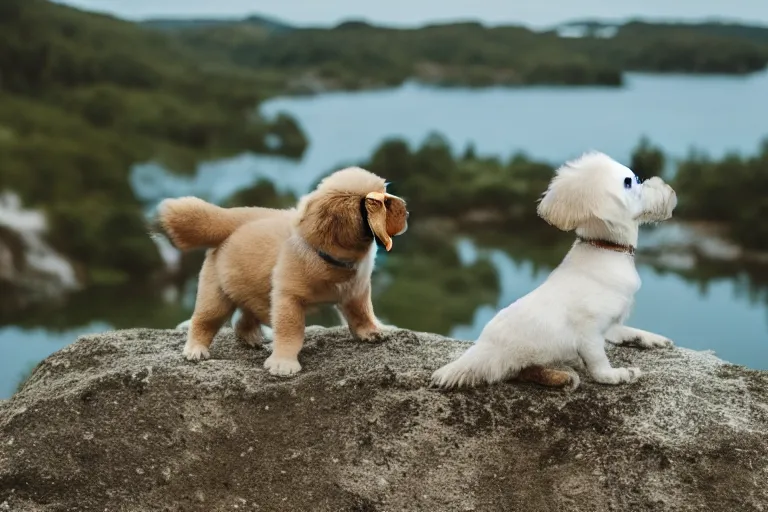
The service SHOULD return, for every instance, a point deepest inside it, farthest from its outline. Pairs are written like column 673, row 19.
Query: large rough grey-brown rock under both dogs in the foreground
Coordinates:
column 121, row 422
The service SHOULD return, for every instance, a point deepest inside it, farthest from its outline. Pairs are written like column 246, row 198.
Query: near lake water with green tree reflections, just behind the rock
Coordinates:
column 439, row 281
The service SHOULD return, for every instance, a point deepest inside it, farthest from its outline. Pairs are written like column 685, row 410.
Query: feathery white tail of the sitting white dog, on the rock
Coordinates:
column 479, row 364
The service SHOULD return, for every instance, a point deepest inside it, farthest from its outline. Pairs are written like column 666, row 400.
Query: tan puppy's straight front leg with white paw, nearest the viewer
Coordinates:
column 288, row 319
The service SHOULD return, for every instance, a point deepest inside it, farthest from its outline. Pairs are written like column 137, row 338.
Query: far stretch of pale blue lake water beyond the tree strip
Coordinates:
column 715, row 114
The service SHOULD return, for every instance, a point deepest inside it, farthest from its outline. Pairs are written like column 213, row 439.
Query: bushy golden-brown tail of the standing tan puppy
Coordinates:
column 190, row 222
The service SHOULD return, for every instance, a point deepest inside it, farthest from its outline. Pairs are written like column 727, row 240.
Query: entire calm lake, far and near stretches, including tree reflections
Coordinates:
column 454, row 285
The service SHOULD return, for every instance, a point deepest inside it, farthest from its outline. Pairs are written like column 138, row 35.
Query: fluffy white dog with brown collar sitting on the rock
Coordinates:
column 586, row 299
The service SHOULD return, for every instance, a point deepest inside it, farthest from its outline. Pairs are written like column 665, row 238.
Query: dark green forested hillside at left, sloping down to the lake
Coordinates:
column 85, row 96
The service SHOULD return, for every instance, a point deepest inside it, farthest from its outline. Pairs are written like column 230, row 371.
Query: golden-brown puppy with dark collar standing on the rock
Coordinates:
column 273, row 264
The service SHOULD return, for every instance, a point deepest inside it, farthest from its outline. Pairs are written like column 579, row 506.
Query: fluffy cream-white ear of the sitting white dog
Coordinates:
column 566, row 204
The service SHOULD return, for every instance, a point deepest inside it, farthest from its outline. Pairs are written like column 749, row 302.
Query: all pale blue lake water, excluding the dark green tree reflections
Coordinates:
column 715, row 114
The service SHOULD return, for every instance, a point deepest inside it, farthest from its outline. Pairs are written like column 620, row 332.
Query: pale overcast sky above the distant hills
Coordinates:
column 414, row 12
